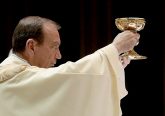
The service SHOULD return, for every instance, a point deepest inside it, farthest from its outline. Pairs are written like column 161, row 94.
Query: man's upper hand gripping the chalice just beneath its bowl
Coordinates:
column 125, row 41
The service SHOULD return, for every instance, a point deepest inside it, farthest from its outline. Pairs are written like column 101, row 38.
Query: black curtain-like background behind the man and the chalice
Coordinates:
column 88, row 25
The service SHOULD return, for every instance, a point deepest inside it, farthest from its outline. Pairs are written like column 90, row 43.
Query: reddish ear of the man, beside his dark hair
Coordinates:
column 30, row 46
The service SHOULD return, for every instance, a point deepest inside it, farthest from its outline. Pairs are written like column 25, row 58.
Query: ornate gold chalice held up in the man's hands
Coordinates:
column 133, row 24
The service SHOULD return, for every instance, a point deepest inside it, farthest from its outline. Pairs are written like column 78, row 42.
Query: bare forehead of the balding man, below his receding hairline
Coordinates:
column 51, row 33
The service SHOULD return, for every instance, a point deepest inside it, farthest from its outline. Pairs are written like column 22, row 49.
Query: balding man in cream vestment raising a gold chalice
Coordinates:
column 31, row 86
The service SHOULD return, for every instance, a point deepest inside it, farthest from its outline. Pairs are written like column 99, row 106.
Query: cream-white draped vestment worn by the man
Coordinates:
column 92, row 86
